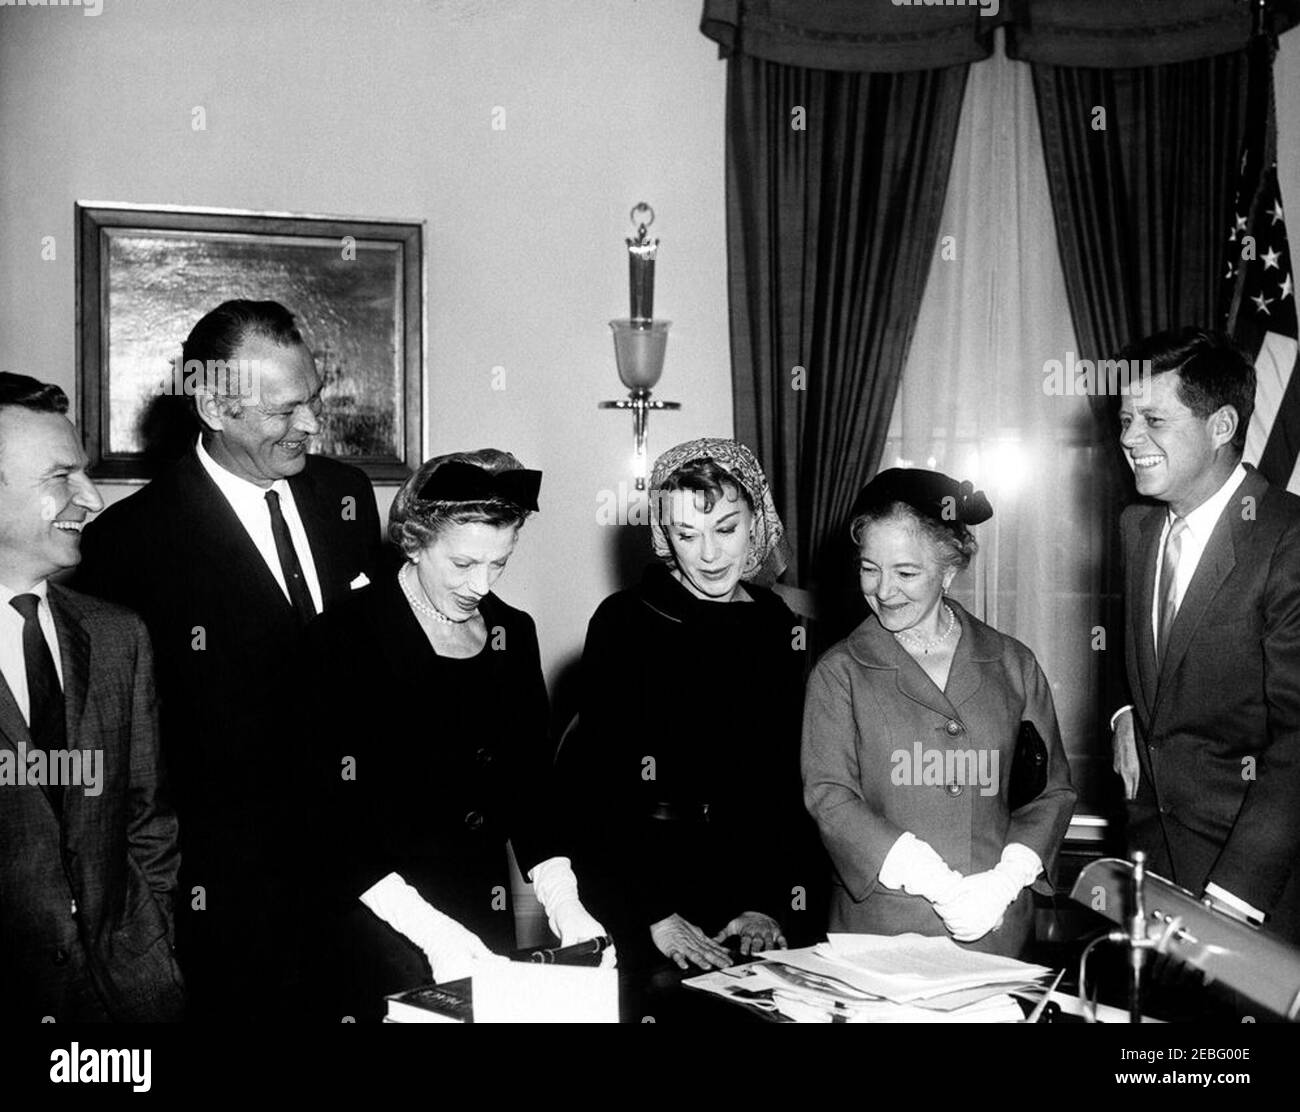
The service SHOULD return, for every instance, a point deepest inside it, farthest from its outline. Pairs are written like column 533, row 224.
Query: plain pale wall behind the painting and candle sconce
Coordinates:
column 385, row 110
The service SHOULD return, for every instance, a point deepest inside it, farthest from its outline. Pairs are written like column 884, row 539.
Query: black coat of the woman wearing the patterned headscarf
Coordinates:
column 686, row 703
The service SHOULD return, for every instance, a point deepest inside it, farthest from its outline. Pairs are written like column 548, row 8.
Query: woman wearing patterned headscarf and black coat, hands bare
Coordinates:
column 684, row 765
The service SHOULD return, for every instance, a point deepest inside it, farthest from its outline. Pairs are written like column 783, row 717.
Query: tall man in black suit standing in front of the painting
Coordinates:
column 228, row 556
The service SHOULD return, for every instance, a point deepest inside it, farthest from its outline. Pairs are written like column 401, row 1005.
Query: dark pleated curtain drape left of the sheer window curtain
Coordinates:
column 835, row 189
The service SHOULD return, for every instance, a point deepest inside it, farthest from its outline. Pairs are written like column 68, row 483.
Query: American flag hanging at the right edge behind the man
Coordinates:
column 1259, row 287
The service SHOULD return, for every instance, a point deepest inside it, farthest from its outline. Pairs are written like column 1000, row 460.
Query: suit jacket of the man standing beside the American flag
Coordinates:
column 1219, row 726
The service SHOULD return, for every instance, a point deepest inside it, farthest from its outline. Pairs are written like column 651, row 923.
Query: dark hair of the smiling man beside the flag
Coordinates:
column 1214, row 373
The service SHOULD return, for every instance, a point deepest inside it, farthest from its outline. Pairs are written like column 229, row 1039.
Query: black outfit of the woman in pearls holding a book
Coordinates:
column 450, row 759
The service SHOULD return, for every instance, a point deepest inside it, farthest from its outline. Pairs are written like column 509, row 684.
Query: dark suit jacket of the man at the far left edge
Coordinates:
column 114, row 854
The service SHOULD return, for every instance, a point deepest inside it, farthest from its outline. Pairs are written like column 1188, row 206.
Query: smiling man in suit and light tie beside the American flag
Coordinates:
column 1210, row 750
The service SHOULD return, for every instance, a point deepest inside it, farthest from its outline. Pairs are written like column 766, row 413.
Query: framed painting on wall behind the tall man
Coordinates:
column 145, row 276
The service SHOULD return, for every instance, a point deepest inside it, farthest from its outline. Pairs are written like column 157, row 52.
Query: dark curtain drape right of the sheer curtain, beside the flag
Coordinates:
column 1143, row 171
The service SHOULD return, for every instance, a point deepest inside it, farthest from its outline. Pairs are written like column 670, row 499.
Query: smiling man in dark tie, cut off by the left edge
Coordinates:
column 89, row 859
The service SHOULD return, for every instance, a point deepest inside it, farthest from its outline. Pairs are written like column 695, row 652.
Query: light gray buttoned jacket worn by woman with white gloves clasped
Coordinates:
column 869, row 707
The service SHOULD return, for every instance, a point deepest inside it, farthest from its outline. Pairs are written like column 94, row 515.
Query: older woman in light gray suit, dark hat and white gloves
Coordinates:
column 911, row 730
